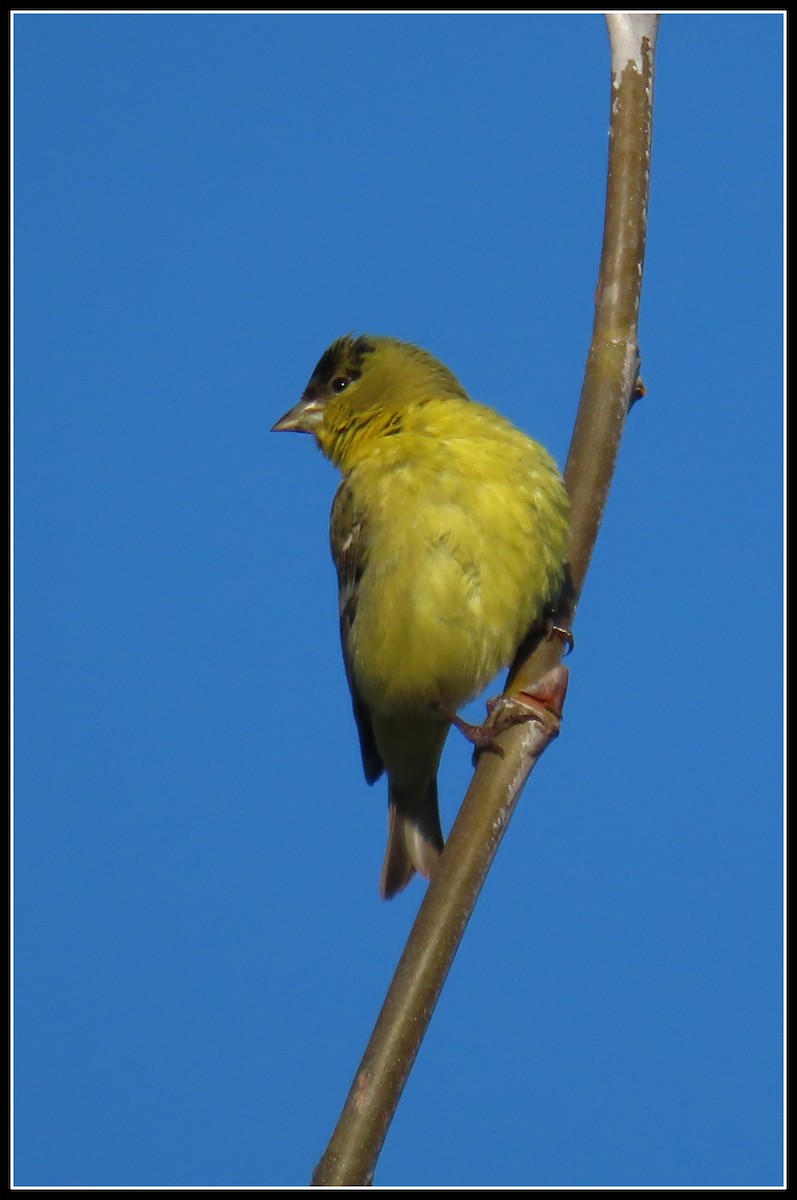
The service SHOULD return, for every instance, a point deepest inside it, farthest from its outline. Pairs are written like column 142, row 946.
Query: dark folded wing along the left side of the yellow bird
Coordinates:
column 350, row 544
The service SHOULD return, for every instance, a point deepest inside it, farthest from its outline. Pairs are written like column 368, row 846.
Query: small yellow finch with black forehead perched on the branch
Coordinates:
column 450, row 535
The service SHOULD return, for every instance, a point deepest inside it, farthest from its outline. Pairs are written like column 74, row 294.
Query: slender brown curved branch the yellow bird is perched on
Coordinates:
column 609, row 392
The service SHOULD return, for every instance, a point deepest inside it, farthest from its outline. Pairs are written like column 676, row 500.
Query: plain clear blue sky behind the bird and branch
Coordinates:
column 202, row 205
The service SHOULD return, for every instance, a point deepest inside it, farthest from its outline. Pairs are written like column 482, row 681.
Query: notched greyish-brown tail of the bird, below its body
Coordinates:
column 415, row 839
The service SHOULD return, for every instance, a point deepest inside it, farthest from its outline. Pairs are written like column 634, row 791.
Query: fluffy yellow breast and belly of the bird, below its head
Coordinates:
column 469, row 526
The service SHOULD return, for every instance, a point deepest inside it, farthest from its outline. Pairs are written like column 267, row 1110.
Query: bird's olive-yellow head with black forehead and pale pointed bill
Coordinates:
column 363, row 387
